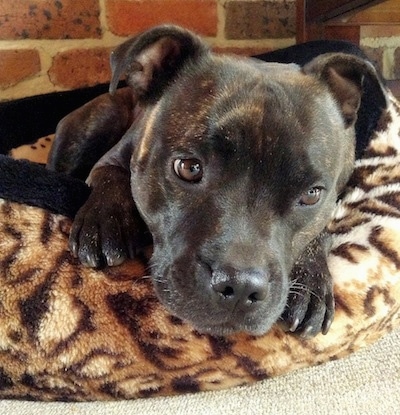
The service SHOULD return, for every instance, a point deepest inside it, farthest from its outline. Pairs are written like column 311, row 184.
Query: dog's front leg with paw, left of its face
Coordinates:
column 108, row 228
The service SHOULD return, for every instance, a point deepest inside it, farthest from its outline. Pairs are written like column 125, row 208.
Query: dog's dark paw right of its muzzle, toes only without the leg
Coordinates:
column 310, row 306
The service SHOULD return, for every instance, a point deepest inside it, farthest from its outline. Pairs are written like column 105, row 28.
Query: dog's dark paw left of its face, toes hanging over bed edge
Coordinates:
column 105, row 232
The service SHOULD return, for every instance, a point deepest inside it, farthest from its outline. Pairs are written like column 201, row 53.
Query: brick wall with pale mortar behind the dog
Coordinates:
column 50, row 45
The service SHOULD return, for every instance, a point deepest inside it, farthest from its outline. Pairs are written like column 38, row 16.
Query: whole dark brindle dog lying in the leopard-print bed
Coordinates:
column 233, row 165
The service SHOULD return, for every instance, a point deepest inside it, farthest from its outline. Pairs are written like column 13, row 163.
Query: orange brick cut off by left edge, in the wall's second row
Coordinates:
column 16, row 65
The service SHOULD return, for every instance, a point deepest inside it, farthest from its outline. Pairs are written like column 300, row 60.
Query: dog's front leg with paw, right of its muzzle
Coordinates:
column 310, row 306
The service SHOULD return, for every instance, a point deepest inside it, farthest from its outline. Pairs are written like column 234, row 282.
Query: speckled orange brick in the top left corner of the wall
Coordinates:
column 49, row 19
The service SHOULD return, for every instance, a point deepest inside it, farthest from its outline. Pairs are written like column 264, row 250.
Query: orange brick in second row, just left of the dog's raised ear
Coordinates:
column 79, row 68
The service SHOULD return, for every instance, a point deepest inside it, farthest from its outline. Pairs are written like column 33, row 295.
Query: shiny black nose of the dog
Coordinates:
column 240, row 287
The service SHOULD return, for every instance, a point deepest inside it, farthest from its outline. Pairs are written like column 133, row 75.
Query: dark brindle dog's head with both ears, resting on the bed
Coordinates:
column 237, row 167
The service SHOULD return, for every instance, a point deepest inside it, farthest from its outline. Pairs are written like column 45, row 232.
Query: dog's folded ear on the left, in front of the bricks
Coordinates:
column 150, row 60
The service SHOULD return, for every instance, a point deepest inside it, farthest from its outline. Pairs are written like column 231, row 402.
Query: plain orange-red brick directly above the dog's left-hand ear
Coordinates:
column 126, row 17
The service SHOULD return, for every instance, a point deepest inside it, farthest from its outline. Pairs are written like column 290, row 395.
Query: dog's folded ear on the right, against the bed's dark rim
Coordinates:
column 346, row 75
